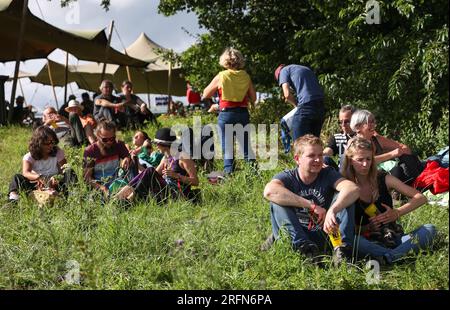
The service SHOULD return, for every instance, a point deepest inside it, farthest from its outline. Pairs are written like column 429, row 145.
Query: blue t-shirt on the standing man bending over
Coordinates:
column 303, row 81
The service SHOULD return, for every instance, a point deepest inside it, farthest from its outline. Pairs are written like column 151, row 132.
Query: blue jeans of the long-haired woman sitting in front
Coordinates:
column 421, row 238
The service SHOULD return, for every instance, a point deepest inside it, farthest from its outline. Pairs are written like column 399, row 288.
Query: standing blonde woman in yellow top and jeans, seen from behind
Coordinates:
column 236, row 91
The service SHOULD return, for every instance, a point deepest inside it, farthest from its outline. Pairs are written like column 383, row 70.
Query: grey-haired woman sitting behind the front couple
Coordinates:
column 408, row 167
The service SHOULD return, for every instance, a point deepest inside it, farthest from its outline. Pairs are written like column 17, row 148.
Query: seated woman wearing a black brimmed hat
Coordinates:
column 173, row 177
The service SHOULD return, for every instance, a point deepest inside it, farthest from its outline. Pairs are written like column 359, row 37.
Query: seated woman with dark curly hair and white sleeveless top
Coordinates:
column 41, row 165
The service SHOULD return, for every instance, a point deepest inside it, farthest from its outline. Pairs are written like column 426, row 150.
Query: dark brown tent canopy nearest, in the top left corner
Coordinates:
column 41, row 38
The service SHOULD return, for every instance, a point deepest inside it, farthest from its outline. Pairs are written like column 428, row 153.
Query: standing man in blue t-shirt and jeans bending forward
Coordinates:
column 310, row 114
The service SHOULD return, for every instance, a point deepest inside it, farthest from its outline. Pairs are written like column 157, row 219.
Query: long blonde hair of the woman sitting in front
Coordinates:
column 357, row 144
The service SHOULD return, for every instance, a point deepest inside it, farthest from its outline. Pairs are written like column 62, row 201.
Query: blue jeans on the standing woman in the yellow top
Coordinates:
column 233, row 117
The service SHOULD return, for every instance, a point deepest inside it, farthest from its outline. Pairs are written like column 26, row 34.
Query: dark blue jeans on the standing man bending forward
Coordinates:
column 308, row 119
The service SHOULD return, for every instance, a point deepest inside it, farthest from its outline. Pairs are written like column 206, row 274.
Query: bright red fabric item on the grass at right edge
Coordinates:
column 433, row 177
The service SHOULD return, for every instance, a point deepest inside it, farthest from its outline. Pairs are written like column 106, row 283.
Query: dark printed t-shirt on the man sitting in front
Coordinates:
column 321, row 191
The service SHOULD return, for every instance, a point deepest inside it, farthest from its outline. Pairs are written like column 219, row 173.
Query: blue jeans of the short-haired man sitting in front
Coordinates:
column 299, row 234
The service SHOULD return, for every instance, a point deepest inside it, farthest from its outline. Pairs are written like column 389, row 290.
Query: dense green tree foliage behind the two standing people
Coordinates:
column 398, row 69
